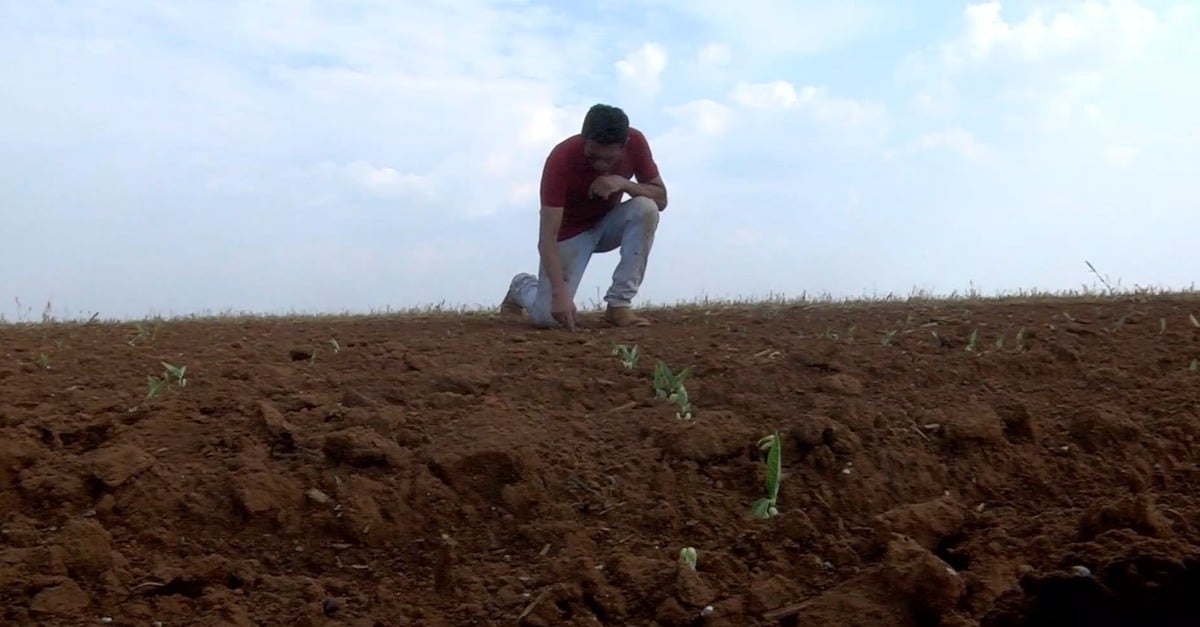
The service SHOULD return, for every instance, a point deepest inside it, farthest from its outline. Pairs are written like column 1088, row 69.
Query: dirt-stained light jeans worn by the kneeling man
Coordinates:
column 631, row 226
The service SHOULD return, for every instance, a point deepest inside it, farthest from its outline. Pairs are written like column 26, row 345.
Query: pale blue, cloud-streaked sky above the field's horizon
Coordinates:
column 299, row 157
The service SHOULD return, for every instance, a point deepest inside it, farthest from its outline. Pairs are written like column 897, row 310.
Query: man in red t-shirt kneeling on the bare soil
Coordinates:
column 583, row 184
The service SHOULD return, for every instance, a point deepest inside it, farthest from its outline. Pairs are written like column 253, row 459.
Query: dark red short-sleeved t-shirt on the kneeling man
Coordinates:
column 568, row 176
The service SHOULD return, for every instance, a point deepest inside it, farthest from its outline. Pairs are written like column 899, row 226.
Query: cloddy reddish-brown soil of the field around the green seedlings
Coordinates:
column 452, row 471
